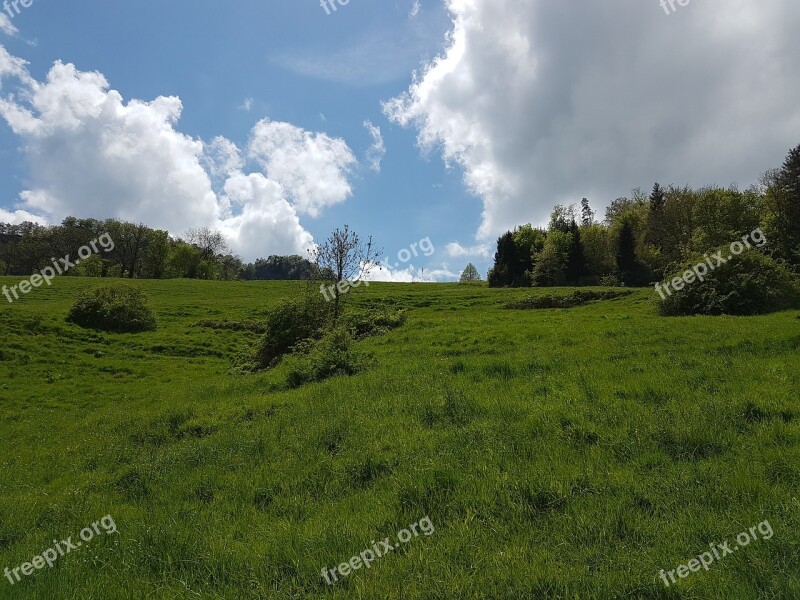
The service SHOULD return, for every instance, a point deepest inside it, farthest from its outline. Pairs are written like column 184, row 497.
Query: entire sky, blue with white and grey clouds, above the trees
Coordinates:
column 426, row 124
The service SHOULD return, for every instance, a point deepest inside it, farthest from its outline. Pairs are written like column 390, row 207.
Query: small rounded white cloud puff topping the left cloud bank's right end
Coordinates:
column 312, row 167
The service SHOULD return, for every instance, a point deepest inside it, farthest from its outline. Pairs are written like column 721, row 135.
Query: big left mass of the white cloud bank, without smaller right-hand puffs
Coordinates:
column 92, row 154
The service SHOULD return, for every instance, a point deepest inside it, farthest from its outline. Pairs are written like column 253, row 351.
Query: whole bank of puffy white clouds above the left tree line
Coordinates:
column 91, row 153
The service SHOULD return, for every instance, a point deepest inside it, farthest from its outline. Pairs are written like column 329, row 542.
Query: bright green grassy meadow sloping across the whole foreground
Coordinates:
column 558, row 453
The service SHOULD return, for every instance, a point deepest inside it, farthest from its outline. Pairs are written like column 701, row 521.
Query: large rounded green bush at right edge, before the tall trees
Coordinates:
column 748, row 284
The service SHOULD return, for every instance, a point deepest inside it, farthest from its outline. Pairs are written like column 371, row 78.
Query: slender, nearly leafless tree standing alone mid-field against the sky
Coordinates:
column 345, row 259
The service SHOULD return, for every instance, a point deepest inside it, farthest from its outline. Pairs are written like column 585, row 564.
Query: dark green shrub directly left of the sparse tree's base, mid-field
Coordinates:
column 289, row 324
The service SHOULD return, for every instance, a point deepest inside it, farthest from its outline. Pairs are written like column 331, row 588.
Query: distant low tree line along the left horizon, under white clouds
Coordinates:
column 139, row 252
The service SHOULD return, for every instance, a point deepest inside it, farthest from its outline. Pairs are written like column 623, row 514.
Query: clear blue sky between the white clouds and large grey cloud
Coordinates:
column 233, row 64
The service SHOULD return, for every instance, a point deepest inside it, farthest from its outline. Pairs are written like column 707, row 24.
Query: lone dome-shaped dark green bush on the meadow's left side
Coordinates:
column 116, row 308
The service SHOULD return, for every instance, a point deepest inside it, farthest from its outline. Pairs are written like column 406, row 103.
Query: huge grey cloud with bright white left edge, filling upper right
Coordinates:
column 542, row 102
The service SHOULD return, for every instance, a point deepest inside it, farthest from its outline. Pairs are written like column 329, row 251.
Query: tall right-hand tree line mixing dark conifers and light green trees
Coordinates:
column 643, row 237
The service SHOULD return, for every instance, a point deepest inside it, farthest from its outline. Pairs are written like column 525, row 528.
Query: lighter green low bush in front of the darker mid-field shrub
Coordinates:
column 317, row 360
